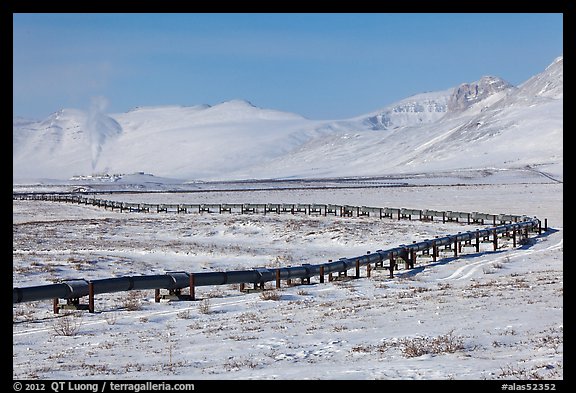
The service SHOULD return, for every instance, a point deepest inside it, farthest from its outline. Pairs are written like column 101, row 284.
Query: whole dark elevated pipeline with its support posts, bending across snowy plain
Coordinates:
column 175, row 281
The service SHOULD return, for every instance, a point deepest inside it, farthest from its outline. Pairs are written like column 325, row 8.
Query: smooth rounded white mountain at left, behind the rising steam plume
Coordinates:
column 179, row 142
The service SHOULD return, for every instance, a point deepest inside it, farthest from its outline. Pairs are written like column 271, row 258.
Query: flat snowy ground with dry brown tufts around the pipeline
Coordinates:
column 492, row 315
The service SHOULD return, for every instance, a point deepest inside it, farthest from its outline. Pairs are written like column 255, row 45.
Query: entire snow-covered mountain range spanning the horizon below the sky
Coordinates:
column 486, row 123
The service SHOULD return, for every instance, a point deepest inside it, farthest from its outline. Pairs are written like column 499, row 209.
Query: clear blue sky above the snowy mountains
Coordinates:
column 322, row 66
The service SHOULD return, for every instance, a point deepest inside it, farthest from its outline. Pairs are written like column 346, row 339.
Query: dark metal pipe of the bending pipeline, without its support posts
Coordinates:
column 71, row 289
